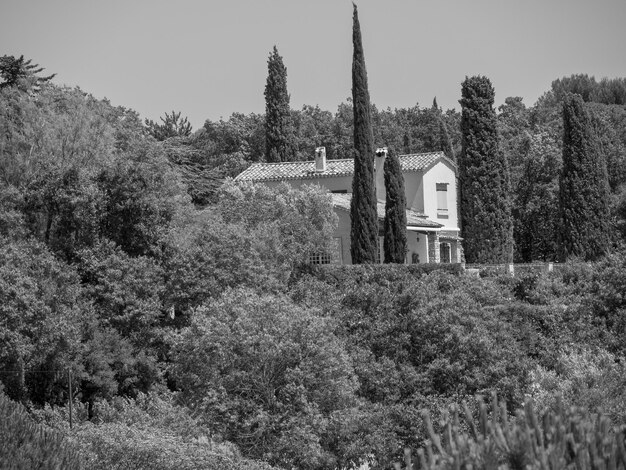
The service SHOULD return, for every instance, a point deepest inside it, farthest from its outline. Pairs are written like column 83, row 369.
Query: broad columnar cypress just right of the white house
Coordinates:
column 484, row 179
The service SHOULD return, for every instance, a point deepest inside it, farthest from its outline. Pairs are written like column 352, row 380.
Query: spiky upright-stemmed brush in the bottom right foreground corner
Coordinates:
column 562, row 439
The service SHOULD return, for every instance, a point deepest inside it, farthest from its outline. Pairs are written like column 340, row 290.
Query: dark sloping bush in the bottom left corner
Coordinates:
column 25, row 445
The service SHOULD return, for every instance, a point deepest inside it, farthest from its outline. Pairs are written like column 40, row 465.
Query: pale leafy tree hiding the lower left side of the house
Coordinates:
column 255, row 236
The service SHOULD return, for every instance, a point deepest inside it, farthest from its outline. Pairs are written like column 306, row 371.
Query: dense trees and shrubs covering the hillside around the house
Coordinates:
column 197, row 337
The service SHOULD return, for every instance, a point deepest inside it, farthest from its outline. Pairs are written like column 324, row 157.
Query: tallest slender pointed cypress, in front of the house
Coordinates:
column 364, row 221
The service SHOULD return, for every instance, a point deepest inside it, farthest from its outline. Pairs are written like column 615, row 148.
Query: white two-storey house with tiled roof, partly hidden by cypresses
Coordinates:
column 431, row 193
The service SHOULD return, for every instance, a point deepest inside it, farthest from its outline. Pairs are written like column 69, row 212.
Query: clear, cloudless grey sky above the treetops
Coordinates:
column 208, row 58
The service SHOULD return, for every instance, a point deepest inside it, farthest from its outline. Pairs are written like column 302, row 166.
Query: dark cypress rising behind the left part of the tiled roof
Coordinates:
column 278, row 126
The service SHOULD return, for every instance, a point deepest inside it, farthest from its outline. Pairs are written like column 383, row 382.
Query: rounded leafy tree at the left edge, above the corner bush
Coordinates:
column 42, row 310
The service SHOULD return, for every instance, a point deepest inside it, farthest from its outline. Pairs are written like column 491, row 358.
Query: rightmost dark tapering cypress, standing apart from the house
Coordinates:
column 583, row 187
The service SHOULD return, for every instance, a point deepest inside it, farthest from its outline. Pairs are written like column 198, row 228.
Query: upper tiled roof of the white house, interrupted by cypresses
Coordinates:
column 282, row 171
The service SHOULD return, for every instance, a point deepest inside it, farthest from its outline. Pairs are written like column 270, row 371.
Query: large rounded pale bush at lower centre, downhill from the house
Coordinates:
column 267, row 374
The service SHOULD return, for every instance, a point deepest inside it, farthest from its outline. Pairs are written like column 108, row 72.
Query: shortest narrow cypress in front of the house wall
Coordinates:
column 395, row 211
